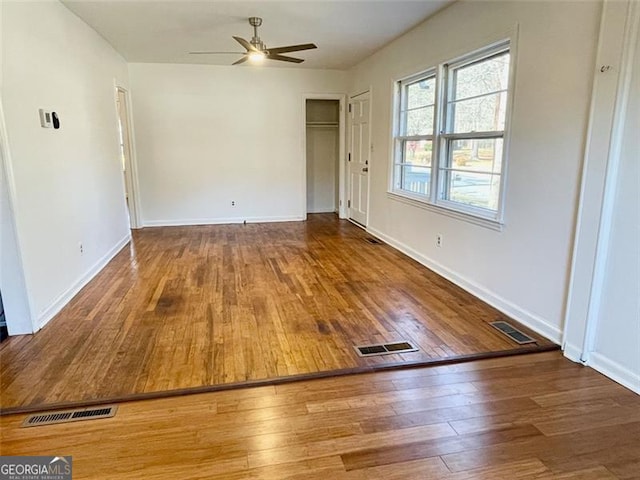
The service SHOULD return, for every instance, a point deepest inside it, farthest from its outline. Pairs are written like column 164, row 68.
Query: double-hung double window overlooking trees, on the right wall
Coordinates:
column 449, row 145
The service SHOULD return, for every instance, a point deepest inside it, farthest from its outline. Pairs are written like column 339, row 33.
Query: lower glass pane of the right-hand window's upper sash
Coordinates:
column 482, row 114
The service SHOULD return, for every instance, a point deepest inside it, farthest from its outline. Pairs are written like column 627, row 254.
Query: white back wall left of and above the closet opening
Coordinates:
column 210, row 135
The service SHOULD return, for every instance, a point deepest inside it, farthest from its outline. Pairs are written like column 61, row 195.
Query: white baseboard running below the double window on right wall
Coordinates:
column 534, row 322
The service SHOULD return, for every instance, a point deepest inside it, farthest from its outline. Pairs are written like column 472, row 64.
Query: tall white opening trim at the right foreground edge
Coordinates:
column 609, row 100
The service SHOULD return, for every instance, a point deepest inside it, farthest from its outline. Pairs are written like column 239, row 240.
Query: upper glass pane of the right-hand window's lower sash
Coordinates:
column 476, row 155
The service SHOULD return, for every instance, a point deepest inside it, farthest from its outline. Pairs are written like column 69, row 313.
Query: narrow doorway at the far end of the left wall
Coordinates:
column 126, row 151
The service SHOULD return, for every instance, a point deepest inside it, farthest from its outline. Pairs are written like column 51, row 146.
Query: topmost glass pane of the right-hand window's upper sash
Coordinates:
column 482, row 77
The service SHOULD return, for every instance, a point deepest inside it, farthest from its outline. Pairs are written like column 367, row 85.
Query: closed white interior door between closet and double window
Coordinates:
column 358, row 158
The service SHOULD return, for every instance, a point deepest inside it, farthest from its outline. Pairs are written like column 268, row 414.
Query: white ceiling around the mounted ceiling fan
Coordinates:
column 345, row 32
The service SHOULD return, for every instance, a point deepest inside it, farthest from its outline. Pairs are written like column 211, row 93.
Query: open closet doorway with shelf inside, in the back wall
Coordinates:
column 323, row 154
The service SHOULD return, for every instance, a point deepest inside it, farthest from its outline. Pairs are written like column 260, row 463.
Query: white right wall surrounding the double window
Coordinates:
column 523, row 270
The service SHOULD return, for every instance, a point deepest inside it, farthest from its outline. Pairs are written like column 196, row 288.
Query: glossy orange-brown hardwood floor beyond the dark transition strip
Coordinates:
column 194, row 307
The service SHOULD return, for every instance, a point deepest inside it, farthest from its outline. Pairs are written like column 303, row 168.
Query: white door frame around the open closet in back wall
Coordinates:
column 342, row 98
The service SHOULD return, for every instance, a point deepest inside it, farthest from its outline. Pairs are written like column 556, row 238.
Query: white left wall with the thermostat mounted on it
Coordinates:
column 68, row 182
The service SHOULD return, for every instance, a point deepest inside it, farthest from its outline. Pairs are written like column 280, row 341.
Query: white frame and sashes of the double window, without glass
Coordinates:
column 442, row 137
